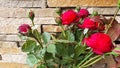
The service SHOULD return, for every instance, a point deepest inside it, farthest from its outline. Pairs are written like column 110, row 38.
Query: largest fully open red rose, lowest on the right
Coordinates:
column 99, row 42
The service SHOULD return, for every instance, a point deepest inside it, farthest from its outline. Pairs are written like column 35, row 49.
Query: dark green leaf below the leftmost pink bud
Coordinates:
column 28, row 46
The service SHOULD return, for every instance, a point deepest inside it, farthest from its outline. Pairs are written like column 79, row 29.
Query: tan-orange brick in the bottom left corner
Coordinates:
column 13, row 65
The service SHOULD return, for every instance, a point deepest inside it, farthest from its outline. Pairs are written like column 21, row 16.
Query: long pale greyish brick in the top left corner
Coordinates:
column 23, row 3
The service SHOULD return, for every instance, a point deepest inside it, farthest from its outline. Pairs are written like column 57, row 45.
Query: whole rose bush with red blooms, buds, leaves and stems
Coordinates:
column 82, row 42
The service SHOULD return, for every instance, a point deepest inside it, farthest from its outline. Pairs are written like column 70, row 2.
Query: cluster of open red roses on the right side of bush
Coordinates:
column 99, row 42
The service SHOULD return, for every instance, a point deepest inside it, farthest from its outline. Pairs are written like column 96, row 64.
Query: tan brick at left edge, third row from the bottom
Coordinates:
column 10, row 50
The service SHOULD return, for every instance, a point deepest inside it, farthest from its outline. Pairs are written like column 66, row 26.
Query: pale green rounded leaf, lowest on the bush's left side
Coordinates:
column 31, row 60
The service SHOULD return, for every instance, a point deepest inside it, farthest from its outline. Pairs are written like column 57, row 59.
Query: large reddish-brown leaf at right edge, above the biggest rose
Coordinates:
column 114, row 31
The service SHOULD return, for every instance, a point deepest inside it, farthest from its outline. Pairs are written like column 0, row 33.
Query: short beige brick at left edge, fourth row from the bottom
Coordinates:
column 4, row 44
